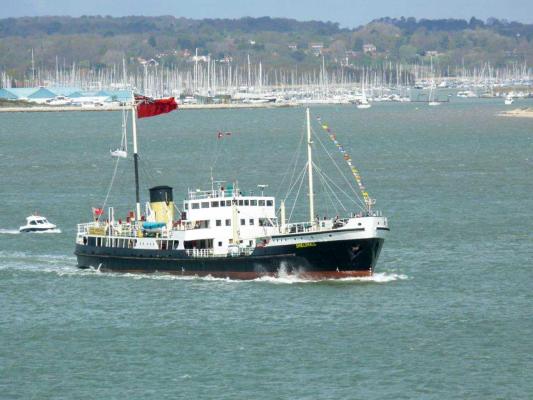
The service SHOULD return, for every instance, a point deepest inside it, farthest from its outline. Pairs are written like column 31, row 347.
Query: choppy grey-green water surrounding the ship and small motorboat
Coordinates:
column 447, row 315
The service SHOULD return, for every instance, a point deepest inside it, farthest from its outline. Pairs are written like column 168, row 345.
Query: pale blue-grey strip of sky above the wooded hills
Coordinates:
column 349, row 13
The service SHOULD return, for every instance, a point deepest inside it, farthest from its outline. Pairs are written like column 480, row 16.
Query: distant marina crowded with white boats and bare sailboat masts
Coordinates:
column 209, row 84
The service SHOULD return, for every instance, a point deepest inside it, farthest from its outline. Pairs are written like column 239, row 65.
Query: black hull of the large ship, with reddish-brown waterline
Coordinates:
column 320, row 260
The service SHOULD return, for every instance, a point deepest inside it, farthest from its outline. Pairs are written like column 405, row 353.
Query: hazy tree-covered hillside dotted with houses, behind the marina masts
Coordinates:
column 100, row 41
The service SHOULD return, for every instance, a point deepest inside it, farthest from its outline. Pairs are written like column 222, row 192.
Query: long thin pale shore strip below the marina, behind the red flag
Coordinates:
column 118, row 108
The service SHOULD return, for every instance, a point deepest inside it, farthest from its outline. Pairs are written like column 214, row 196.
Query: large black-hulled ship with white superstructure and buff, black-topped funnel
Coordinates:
column 229, row 232
